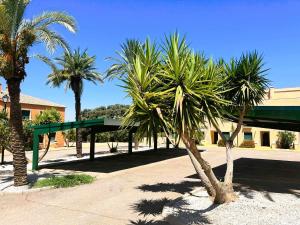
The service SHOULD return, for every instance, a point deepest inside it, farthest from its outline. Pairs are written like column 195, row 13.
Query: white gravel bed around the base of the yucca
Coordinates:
column 256, row 208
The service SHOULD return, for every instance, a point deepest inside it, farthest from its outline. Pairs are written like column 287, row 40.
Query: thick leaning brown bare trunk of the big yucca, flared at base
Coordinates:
column 223, row 193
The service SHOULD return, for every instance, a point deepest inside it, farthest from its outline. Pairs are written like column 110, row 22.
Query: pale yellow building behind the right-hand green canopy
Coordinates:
column 262, row 137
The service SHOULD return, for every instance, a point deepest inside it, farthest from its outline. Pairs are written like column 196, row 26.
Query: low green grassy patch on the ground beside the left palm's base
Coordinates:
column 64, row 181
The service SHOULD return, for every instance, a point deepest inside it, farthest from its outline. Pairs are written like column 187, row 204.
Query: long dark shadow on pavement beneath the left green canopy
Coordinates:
column 108, row 164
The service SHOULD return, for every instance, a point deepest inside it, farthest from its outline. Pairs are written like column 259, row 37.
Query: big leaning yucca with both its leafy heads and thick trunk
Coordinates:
column 176, row 92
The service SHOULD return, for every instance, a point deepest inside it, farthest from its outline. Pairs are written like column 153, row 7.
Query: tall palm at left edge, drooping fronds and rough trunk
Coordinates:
column 17, row 36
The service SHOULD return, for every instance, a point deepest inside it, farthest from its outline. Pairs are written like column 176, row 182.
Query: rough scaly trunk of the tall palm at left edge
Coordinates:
column 17, row 138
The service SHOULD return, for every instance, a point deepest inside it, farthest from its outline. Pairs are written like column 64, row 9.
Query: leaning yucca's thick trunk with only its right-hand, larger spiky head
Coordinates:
column 194, row 95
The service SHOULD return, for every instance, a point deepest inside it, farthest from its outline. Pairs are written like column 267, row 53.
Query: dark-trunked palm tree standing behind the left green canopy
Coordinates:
column 74, row 69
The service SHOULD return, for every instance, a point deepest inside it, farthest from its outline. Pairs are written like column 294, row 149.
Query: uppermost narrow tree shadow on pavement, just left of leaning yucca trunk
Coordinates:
column 182, row 187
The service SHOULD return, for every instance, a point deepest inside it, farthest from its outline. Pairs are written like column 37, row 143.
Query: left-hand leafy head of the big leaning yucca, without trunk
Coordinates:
column 137, row 67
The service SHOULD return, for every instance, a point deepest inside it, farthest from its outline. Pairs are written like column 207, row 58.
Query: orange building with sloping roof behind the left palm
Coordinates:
column 31, row 107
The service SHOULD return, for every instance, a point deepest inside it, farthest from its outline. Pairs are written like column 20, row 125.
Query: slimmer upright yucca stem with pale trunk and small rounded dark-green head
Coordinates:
column 246, row 84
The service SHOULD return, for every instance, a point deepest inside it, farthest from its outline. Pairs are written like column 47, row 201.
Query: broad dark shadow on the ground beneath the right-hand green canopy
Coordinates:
column 263, row 175
